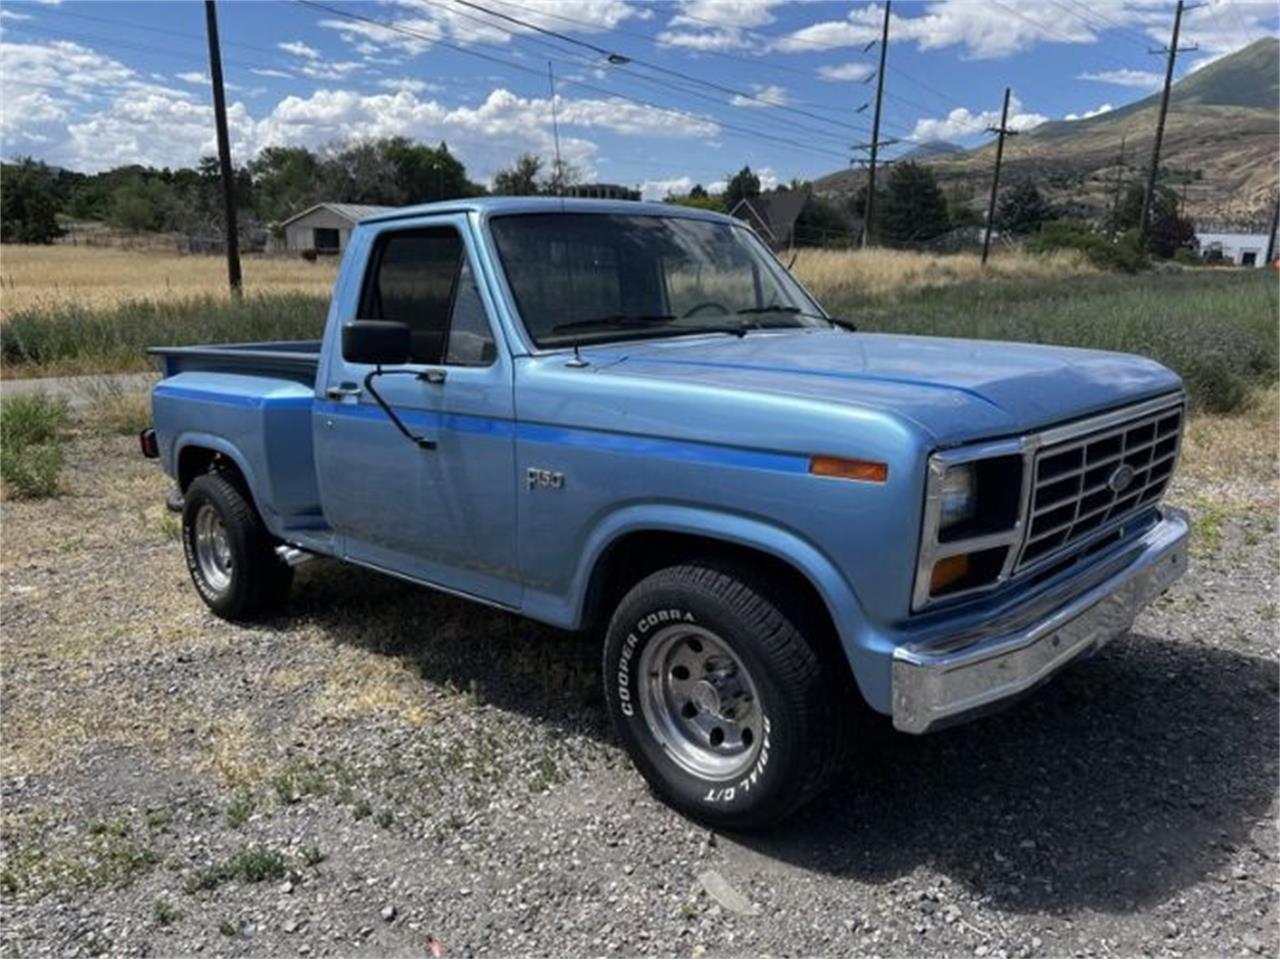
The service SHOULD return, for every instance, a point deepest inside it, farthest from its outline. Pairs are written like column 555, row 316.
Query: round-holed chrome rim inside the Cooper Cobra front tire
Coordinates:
column 701, row 703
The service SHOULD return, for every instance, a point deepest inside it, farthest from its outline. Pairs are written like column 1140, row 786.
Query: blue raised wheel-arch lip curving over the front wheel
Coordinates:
column 868, row 653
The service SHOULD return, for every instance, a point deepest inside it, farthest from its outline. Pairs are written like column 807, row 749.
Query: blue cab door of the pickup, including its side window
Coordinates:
column 445, row 516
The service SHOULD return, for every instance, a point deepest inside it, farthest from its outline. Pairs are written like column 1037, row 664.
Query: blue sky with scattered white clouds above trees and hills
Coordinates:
column 647, row 94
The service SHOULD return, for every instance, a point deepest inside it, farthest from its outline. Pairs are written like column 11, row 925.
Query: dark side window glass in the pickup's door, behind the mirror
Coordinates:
column 423, row 278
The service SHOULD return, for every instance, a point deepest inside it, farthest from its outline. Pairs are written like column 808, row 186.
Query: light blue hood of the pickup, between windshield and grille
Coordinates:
column 953, row 390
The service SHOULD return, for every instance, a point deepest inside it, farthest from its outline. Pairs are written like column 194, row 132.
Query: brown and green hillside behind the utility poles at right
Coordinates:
column 1219, row 149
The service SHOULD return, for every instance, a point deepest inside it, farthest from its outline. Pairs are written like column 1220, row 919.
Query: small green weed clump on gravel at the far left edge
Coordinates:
column 33, row 429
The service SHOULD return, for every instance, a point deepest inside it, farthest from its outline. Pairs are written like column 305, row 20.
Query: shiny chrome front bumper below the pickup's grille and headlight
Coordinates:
column 944, row 682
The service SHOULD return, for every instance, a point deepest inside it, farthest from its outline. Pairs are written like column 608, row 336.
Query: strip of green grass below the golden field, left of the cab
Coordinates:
column 81, row 340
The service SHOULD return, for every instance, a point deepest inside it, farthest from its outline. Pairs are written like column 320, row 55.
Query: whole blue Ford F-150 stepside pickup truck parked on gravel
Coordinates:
column 632, row 420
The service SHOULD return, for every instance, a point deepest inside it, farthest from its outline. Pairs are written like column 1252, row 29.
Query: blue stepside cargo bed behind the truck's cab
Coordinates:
column 252, row 404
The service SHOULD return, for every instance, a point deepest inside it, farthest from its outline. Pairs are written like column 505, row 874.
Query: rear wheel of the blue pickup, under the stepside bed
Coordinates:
column 230, row 554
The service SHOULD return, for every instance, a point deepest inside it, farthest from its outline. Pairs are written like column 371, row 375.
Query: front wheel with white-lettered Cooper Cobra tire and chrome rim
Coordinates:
column 721, row 697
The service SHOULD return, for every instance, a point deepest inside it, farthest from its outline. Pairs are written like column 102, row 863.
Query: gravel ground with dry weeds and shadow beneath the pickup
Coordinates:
column 391, row 772
